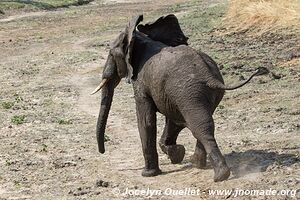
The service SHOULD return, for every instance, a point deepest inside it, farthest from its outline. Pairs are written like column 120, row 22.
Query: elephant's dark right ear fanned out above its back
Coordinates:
column 166, row 30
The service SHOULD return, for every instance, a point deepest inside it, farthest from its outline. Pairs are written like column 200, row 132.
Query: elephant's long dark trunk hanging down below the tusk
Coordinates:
column 106, row 100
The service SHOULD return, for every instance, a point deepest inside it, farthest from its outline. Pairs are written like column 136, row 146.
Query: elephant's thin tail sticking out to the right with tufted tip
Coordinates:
column 216, row 84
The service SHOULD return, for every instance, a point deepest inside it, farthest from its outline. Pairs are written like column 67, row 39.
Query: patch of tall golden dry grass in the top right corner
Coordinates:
column 261, row 16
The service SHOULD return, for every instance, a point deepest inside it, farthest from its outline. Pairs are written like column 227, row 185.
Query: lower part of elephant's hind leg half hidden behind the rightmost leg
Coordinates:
column 199, row 157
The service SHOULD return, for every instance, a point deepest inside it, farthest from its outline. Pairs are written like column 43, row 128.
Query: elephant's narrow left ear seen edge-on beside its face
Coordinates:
column 129, row 41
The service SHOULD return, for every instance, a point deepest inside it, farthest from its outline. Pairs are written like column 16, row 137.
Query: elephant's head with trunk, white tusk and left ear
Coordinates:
column 117, row 66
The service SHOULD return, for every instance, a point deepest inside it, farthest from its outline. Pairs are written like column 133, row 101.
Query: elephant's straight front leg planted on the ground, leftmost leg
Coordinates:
column 146, row 115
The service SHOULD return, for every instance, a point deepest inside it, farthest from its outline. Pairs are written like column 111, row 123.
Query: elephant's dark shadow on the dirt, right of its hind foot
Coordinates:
column 256, row 161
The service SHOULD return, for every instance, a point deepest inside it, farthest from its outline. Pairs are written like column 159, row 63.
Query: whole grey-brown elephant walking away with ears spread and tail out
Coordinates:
column 171, row 78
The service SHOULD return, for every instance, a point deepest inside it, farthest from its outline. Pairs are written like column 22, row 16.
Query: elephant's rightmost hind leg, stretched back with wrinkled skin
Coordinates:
column 201, row 124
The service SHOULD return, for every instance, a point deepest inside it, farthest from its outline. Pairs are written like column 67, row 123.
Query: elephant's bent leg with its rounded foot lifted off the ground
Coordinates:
column 168, row 144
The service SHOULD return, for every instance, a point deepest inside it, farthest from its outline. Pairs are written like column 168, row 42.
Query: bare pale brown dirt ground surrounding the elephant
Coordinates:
column 51, row 61
